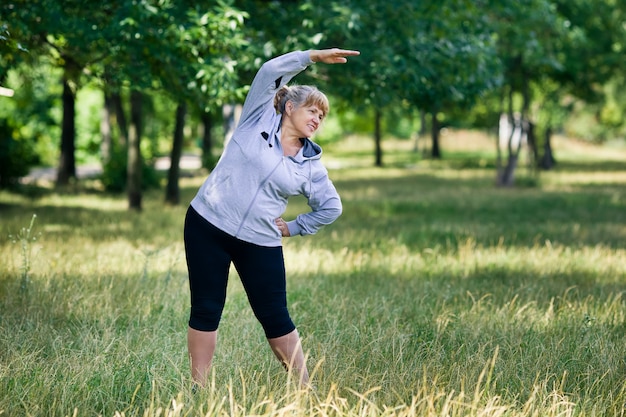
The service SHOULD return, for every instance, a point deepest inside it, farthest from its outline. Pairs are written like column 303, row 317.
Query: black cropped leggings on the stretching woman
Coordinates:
column 209, row 252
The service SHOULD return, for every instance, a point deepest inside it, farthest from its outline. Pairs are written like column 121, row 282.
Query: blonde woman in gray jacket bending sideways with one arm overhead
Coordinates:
column 235, row 216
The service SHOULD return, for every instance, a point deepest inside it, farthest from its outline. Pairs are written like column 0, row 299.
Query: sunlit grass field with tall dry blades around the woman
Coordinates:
column 435, row 294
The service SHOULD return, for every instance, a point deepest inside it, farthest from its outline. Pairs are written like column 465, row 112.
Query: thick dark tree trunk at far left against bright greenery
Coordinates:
column 67, row 161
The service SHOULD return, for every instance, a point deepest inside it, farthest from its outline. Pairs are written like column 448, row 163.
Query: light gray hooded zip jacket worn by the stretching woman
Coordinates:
column 250, row 185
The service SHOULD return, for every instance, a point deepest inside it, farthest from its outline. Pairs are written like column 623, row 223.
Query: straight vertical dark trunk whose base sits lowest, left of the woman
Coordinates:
column 135, row 163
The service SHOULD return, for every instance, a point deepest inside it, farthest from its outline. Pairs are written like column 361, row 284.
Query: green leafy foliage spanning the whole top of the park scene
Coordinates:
column 448, row 57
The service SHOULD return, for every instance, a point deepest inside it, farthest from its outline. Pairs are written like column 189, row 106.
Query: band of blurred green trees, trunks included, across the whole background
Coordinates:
column 121, row 83
